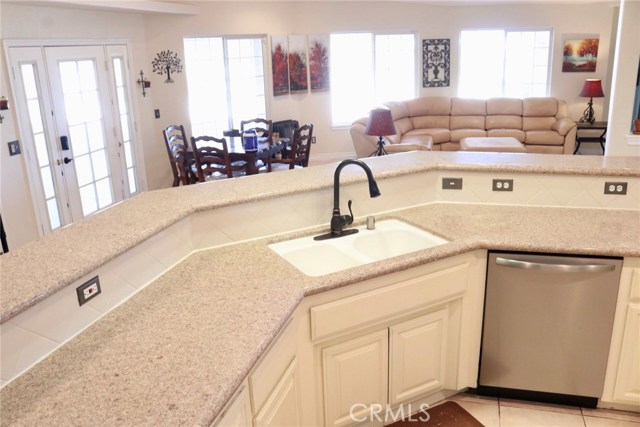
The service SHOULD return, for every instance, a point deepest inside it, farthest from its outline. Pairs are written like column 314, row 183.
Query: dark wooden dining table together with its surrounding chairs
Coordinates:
column 259, row 146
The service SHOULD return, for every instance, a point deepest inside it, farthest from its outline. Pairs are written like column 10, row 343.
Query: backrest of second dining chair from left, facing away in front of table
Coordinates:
column 211, row 155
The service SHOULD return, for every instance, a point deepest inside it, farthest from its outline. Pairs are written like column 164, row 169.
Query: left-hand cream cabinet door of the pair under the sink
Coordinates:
column 355, row 378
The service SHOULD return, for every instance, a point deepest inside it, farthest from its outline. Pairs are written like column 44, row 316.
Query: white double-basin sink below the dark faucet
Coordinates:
column 390, row 238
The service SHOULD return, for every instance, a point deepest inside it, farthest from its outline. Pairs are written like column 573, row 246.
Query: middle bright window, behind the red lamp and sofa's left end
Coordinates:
column 367, row 69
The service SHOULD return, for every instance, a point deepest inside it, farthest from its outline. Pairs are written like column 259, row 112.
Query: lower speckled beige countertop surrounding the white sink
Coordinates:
column 176, row 351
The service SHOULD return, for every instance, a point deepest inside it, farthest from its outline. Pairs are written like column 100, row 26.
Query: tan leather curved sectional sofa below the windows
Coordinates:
column 439, row 123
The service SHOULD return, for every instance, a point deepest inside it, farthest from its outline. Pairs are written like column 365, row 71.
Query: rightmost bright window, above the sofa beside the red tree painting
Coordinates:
column 504, row 63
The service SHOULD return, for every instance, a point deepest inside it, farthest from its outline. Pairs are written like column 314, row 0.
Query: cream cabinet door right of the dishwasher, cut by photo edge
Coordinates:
column 627, row 388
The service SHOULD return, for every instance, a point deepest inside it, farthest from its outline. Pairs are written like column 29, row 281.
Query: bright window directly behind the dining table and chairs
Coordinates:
column 225, row 77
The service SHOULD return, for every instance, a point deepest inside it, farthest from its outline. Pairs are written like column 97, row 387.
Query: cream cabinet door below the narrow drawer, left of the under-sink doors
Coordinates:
column 282, row 407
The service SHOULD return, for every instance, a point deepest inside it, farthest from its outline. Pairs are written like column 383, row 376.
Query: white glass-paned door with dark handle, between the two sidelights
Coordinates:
column 80, row 95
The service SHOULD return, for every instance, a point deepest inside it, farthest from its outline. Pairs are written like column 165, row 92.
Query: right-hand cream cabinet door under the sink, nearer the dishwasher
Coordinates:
column 418, row 356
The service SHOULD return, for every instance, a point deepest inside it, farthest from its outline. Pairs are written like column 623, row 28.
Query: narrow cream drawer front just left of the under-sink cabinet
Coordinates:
column 273, row 365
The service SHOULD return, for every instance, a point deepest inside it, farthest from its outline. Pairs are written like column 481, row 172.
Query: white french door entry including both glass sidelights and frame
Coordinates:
column 75, row 116
